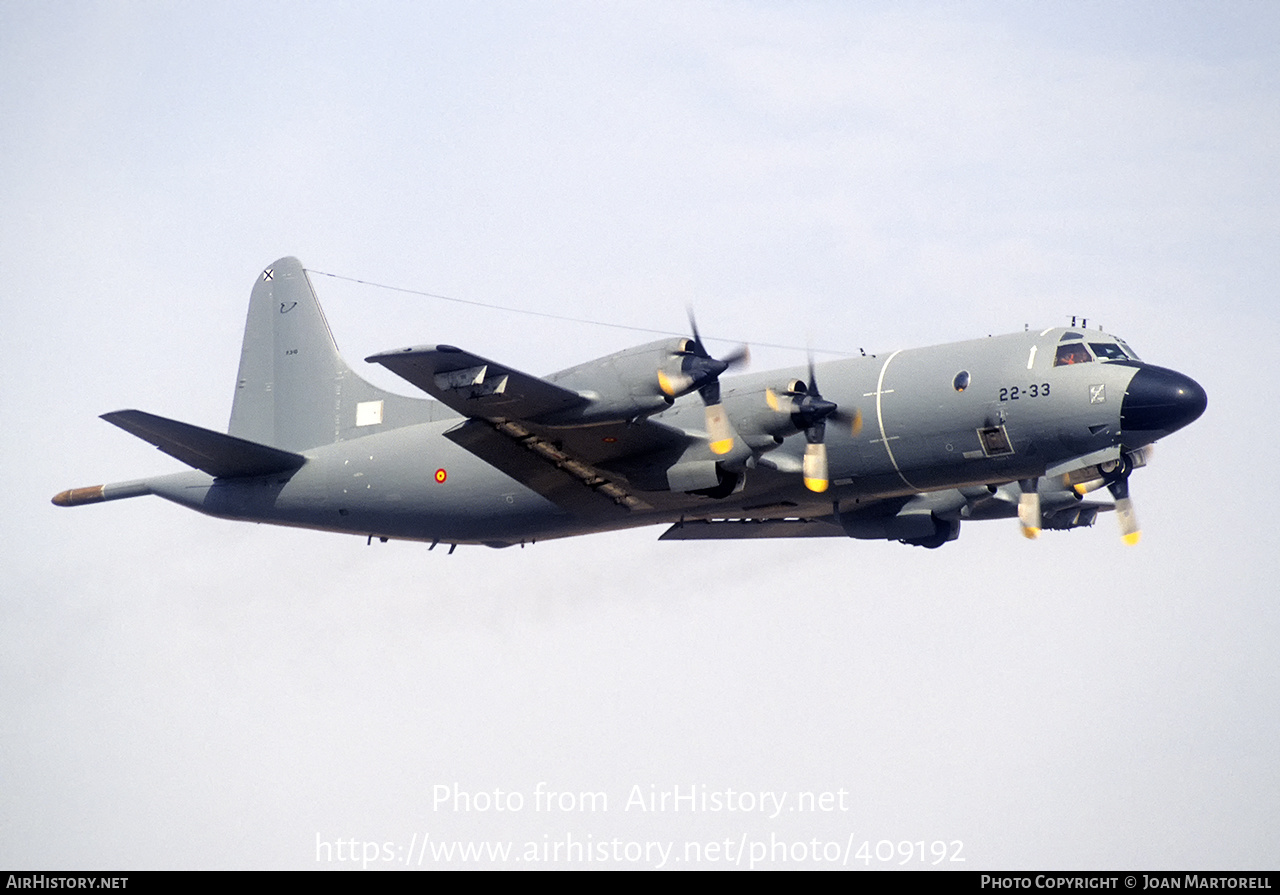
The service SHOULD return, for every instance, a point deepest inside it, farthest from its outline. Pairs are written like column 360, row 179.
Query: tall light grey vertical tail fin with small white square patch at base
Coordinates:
column 294, row 391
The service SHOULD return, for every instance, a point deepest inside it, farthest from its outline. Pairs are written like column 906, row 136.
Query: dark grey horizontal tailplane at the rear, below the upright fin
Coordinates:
column 213, row 453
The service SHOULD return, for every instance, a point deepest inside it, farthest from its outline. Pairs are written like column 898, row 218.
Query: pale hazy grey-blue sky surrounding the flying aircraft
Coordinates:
column 185, row 692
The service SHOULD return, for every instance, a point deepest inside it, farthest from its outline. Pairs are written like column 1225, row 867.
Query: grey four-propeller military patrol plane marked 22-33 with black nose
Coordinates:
column 903, row 446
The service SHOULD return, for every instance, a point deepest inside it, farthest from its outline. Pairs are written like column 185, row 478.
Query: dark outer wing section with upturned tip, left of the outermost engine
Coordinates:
column 478, row 387
